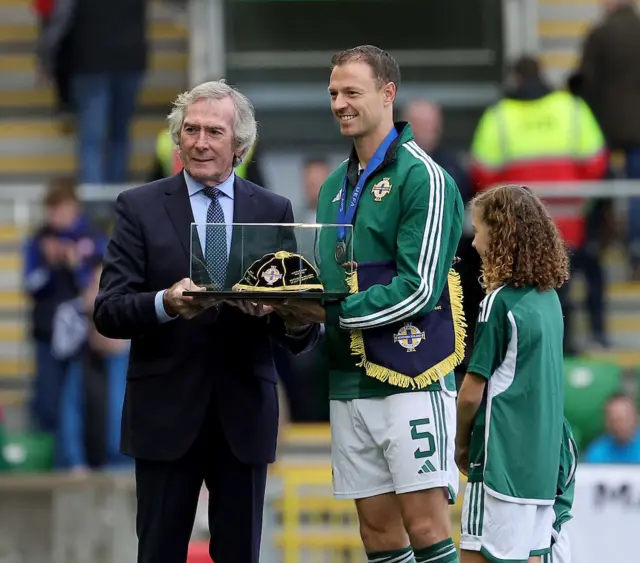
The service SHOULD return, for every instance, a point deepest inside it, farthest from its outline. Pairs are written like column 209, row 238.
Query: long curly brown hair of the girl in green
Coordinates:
column 524, row 246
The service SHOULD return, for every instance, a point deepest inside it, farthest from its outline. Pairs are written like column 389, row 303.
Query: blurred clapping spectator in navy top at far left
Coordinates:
column 57, row 259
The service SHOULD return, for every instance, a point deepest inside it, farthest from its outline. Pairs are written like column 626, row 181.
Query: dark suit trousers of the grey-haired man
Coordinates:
column 168, row 493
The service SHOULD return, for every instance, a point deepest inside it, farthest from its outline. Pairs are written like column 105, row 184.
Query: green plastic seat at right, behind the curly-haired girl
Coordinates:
column 588, row 384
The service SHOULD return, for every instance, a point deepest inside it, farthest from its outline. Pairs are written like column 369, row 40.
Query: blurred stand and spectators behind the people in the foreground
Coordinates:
column 538, row 91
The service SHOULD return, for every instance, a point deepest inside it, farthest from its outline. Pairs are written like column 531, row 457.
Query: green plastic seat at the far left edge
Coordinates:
column 28, row 452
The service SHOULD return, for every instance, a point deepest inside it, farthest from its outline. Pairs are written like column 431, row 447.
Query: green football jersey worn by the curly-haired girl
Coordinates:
column 516, row 437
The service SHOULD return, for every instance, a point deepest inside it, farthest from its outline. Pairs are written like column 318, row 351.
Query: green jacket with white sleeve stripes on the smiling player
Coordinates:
column 416, row 222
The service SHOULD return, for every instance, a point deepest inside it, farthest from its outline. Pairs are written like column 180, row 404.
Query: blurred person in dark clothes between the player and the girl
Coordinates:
column 427, row 123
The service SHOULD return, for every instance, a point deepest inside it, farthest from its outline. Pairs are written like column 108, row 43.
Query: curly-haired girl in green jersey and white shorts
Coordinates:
column 510, row 406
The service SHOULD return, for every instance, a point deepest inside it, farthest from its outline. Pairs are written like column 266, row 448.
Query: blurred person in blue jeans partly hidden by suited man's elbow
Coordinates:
column 92, row 395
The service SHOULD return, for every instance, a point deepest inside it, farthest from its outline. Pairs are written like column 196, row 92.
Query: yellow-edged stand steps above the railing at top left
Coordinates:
column 32, row 145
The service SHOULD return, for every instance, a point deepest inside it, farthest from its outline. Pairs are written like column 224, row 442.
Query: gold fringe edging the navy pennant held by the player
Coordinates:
column 434, row 373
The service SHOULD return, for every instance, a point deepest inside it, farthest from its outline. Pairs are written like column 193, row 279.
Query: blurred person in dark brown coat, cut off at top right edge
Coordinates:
column 609, row 76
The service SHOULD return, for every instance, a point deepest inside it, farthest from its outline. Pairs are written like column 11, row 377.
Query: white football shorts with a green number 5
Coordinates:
column 400, row 443
